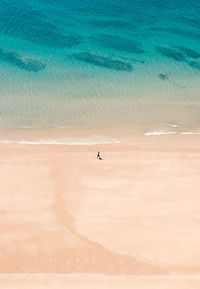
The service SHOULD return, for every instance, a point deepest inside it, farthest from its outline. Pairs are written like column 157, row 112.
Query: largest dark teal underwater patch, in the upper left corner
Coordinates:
column 29, row 24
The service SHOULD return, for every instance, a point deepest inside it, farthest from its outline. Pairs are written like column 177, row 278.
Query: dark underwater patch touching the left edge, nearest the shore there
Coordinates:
column 15, row 59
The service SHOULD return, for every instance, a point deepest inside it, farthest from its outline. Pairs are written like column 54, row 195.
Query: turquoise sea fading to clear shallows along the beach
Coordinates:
column 95, row 64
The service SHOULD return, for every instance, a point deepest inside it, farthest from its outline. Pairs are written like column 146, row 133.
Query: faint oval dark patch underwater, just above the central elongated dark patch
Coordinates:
column 117, row 43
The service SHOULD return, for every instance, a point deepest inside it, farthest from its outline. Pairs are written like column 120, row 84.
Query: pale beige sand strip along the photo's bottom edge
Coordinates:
column 97, row 282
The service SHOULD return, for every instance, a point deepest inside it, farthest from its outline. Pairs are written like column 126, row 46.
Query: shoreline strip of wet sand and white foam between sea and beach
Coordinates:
column 90, row 137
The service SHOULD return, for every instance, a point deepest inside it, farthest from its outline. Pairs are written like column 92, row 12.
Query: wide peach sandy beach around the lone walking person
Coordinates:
column 101, row 224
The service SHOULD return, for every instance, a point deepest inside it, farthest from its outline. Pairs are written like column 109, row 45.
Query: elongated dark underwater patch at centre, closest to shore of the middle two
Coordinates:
column 103, row 61
